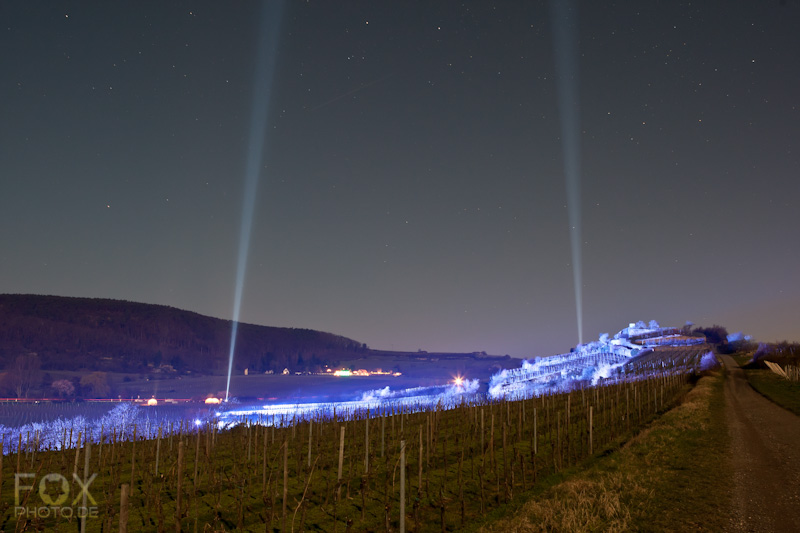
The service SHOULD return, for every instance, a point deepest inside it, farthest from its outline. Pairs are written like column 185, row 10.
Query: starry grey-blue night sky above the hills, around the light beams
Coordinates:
column 412, row 192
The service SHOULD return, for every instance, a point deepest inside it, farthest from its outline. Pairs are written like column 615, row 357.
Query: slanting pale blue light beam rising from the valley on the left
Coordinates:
column 262, row 84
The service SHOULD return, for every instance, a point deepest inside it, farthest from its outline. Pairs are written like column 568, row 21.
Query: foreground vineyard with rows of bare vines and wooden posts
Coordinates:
column 395, row 468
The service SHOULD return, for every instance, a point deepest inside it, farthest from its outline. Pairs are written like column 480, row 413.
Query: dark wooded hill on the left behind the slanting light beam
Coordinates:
column 122, row 336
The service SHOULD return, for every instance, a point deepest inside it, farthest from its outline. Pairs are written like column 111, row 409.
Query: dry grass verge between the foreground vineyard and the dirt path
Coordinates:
column 672, row 476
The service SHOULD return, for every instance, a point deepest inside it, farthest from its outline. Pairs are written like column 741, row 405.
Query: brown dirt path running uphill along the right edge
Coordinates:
column 766, row 458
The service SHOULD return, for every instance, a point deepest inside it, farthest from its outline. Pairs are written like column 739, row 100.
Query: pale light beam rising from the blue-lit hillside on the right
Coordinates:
column 563, row 14
